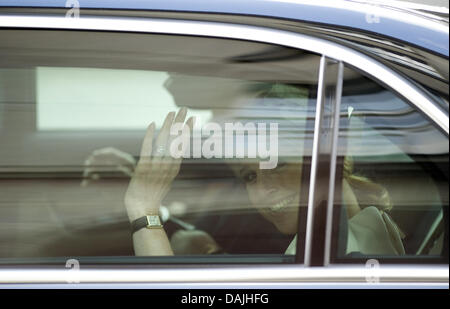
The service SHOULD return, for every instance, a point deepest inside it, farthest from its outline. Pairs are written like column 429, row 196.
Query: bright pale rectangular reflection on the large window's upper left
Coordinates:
column 74, row 99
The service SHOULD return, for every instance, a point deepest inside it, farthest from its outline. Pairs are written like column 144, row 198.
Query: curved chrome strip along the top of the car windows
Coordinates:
column 398, row 83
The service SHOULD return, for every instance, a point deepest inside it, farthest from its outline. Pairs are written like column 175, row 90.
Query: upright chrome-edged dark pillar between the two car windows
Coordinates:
column 323, row 164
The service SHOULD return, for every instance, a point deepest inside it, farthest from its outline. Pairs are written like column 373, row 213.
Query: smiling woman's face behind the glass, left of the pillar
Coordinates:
column 275, row 192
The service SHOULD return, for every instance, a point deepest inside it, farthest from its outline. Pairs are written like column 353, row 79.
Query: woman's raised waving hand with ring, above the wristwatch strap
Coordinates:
column 156, row 168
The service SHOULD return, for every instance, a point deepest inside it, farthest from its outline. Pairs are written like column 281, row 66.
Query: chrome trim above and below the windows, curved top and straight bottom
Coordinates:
column 296, row 274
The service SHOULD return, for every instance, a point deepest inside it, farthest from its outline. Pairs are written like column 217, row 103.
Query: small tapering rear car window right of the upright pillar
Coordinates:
column 393, row 200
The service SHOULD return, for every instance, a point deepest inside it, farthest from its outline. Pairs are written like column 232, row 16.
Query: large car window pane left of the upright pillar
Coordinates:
column 75, row 108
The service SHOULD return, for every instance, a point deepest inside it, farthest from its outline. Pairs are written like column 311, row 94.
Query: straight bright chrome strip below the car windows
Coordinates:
column 237, row 274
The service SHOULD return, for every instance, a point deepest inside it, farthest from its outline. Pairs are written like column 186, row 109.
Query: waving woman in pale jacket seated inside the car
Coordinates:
column 275, row 194
